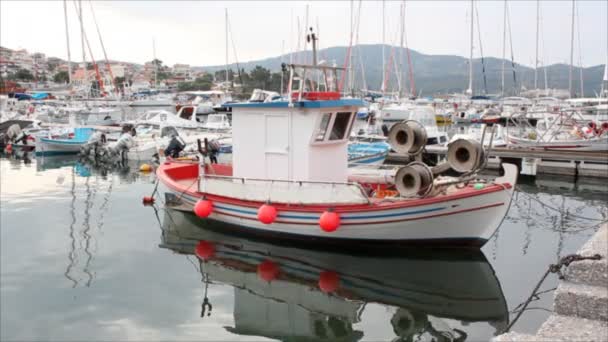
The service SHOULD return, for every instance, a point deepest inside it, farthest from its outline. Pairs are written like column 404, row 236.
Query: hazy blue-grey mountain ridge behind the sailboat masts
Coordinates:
column 439, row 74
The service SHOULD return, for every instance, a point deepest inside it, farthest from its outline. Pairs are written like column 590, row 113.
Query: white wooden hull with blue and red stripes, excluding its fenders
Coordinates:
column 471, row 220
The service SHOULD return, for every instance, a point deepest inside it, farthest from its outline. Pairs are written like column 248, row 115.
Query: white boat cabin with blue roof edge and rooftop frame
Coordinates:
column 302, row 138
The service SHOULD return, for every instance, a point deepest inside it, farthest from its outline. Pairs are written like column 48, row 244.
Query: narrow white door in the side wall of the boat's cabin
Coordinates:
column 277, row 146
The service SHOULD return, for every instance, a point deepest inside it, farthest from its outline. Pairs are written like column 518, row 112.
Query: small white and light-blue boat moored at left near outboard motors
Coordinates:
column 65, row 143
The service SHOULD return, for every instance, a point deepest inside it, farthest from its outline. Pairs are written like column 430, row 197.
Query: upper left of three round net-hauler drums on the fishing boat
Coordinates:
column 408, row 137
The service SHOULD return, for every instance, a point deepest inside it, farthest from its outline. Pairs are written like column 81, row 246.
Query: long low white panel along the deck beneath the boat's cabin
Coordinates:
column 283, row 191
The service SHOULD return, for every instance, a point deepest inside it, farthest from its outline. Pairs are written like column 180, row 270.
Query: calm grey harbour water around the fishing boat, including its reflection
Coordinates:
column 82, row 259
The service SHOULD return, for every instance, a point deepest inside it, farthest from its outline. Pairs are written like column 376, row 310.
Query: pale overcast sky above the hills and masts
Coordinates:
column 192, row 32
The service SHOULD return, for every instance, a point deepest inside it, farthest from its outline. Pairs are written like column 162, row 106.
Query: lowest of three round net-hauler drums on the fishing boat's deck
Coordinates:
column 414, row 179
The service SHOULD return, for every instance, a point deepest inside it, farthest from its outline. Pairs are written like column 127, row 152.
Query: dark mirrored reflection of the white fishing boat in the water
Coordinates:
column 287, row 292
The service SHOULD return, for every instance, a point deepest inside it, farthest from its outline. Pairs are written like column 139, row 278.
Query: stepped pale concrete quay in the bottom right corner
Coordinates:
column 581, row 300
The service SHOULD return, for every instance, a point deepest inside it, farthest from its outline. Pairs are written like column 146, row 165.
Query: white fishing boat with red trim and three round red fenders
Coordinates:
column 289, row 177
